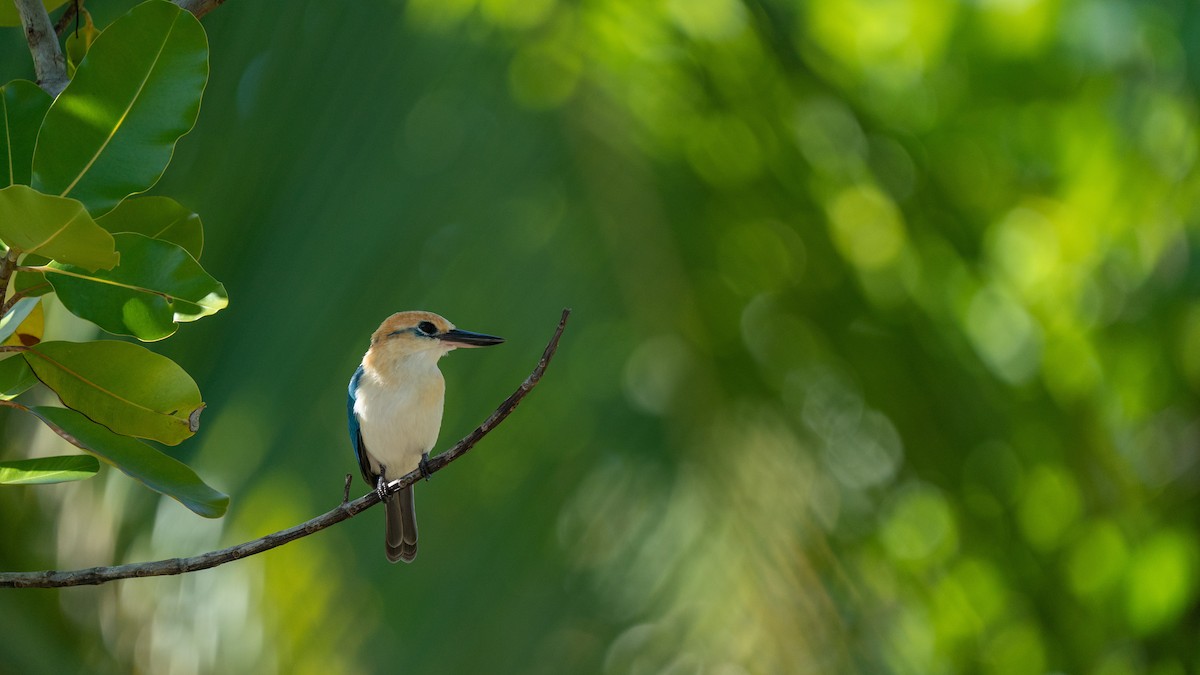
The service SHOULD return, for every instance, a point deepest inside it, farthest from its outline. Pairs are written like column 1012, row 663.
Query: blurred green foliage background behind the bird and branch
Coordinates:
column 886, row 348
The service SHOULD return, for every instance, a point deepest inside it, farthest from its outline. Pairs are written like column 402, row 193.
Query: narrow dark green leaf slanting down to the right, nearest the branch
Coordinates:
column 155, row 470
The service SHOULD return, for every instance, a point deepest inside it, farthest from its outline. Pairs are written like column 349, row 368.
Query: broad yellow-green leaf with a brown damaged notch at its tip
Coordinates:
column 125, row 387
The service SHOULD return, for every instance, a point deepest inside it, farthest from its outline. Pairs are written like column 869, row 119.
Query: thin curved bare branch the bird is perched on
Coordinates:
column 94, row 576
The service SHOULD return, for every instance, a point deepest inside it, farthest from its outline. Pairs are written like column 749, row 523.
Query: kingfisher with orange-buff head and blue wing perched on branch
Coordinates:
column 395, row 405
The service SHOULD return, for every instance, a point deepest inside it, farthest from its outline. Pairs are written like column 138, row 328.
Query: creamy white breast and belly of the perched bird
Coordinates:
column 400, row 415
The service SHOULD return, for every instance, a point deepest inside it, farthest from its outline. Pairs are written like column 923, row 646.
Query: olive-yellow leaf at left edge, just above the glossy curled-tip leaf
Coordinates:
column 56, row 228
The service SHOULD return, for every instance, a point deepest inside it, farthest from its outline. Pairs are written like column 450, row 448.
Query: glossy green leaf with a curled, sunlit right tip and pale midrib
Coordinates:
column 157, row 286
